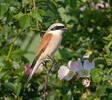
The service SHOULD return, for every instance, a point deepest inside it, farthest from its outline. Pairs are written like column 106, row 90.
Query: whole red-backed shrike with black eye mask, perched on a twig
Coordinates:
column 48, row 45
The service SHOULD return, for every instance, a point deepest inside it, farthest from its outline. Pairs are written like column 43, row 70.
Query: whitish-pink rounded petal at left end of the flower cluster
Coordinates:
column 62, row 72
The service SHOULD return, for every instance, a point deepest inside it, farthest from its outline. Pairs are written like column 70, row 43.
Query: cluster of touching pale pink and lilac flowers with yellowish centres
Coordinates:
column 67, row 73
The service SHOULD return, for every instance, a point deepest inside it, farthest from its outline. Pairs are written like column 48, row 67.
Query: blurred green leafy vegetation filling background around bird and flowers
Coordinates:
column 89, row 29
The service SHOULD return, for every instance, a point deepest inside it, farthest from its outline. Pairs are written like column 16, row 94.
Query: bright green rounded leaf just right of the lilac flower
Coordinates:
column 96, row 74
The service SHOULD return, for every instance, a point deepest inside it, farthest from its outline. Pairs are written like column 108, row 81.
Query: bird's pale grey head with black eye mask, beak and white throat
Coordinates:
column 56, row 28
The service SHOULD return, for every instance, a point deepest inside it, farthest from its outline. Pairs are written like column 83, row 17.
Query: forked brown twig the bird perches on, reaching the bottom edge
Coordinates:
column 46, row 77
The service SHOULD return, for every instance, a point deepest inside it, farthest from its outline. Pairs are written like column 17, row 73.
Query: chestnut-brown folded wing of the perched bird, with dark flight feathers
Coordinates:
column 43, row 44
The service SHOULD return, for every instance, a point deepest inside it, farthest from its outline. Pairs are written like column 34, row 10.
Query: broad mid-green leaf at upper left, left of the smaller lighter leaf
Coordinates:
column 24, row 21
